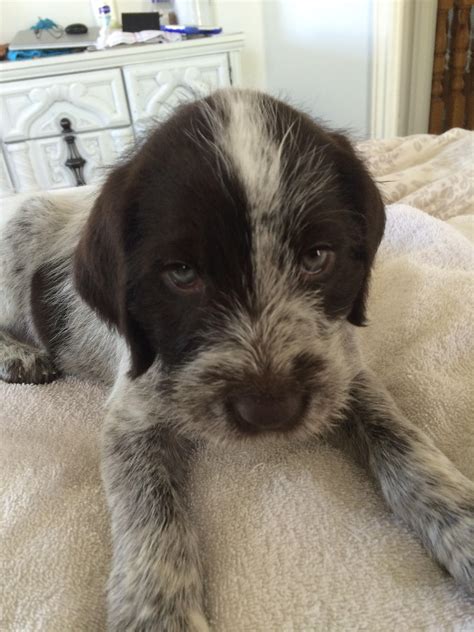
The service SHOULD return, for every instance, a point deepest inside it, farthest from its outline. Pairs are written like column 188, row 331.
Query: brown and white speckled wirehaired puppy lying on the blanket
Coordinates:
column 217, row 282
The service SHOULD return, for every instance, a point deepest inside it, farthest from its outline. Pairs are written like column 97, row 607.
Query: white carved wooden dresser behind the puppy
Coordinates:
column 62, row 119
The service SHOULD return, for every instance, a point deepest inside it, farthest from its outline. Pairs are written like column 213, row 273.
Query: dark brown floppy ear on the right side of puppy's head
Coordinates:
column 366, row 200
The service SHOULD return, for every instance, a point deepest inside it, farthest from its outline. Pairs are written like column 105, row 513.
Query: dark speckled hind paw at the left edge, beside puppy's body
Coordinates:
column 26, row 365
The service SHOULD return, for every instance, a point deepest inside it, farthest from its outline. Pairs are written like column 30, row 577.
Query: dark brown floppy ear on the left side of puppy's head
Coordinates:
column 101, row 264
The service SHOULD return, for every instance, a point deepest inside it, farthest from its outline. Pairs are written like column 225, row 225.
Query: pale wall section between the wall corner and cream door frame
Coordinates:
column 318, row 53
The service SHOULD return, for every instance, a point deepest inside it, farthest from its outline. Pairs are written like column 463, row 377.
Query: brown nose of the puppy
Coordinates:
column 258, row 412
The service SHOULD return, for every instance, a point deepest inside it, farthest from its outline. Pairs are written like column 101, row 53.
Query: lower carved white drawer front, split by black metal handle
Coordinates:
column 40, row 164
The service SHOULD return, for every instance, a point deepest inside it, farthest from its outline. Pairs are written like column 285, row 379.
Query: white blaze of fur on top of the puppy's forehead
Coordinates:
column 255, row 155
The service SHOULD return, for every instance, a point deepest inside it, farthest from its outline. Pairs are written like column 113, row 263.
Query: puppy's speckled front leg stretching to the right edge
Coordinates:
column 419, row 483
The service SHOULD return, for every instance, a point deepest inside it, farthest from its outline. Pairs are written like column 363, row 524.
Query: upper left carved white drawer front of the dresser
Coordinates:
column 90, row 100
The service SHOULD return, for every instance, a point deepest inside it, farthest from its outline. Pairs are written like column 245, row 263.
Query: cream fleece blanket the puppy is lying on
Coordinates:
column 293, row 537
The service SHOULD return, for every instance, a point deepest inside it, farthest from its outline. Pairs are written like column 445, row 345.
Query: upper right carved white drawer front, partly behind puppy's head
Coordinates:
column 155, row 89
